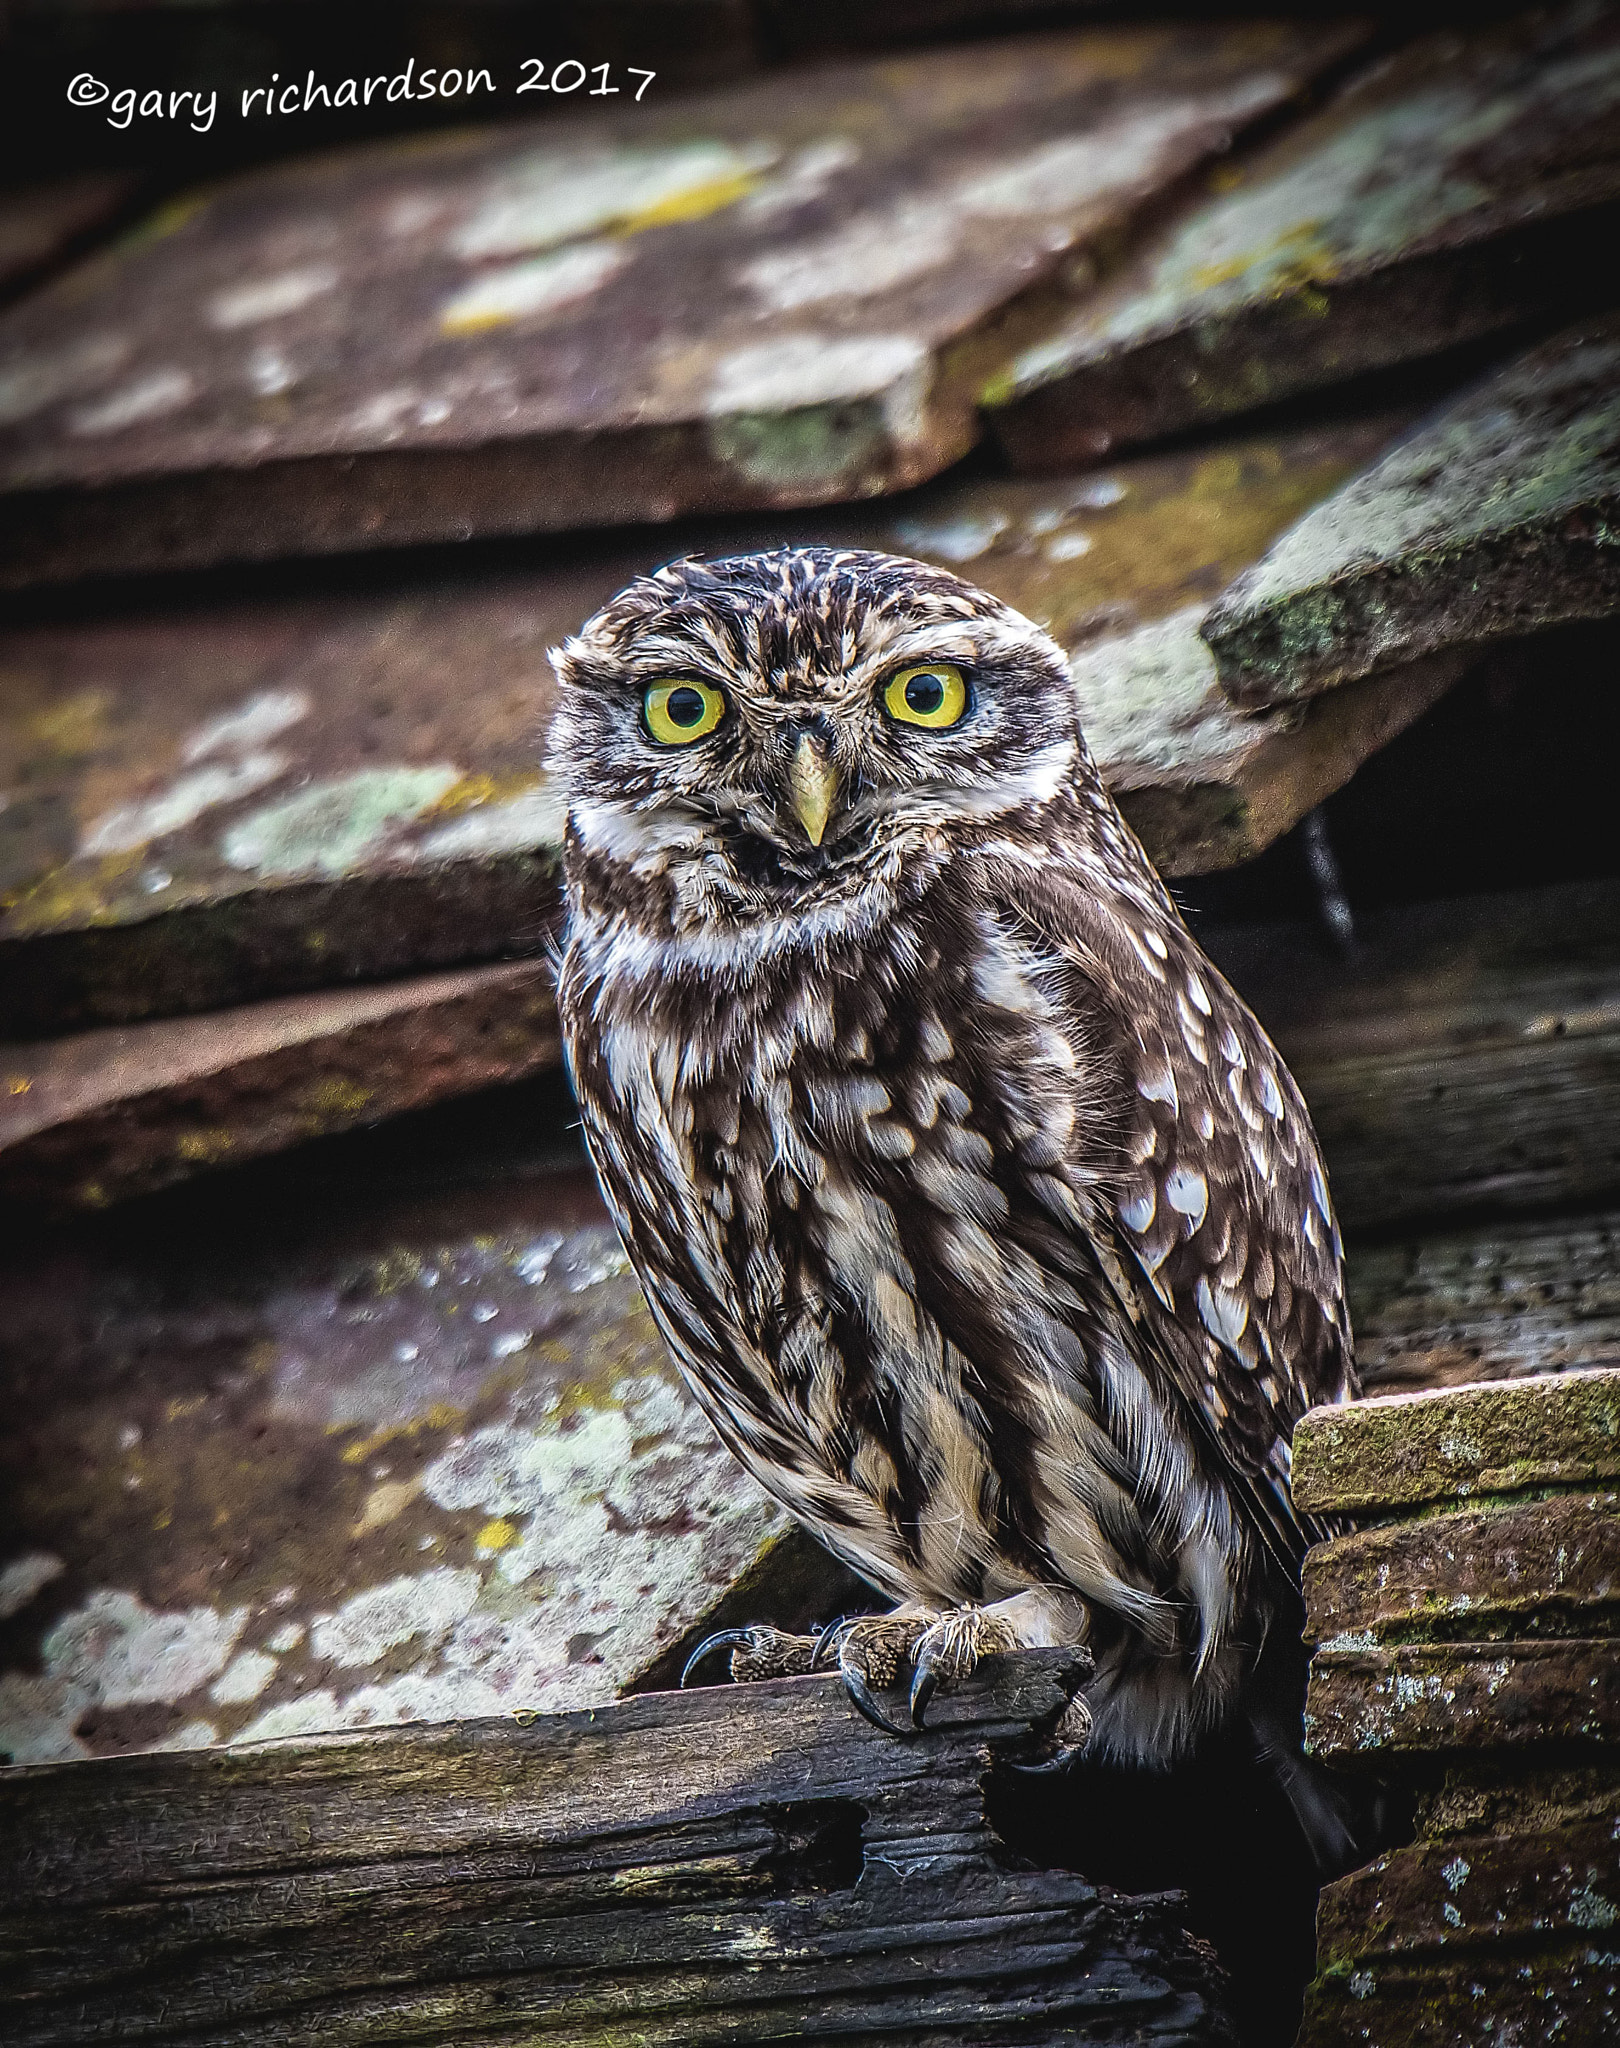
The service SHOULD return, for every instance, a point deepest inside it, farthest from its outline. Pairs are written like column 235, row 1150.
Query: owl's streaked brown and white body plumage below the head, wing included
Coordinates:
column 994, row 1242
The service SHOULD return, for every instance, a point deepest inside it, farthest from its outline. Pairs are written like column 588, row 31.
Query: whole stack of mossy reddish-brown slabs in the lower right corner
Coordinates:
column 1465, row 1652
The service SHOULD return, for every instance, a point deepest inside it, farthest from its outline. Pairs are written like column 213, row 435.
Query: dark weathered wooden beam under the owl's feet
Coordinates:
column 738, row 1865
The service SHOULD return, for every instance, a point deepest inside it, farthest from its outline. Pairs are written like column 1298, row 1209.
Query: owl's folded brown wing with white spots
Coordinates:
column 1222, row 1218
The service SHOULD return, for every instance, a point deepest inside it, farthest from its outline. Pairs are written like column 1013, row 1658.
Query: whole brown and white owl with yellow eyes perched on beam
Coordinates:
column 980, row 1213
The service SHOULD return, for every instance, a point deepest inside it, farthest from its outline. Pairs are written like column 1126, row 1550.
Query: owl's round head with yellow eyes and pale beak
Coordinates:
column 804, row 734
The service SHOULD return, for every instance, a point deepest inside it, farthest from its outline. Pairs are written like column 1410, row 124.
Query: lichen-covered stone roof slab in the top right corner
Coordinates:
column 1451, row 191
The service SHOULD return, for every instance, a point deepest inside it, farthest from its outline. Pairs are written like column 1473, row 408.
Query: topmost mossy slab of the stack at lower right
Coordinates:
column 1455, row 1445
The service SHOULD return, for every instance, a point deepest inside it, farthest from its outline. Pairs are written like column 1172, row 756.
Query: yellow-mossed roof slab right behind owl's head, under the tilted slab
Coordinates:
column 1115, row 564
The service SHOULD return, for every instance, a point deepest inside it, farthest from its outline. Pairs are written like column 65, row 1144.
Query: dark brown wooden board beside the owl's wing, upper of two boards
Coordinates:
column 1467, row 1060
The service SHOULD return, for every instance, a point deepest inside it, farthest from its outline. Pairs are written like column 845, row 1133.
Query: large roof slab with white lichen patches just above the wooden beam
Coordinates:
column 380, row 1437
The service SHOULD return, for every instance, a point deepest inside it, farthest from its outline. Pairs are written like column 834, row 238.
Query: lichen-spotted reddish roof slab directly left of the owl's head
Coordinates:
column 222, row 804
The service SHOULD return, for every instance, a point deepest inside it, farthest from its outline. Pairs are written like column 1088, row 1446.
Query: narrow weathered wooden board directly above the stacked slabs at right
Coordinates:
column 1496, row 1302
